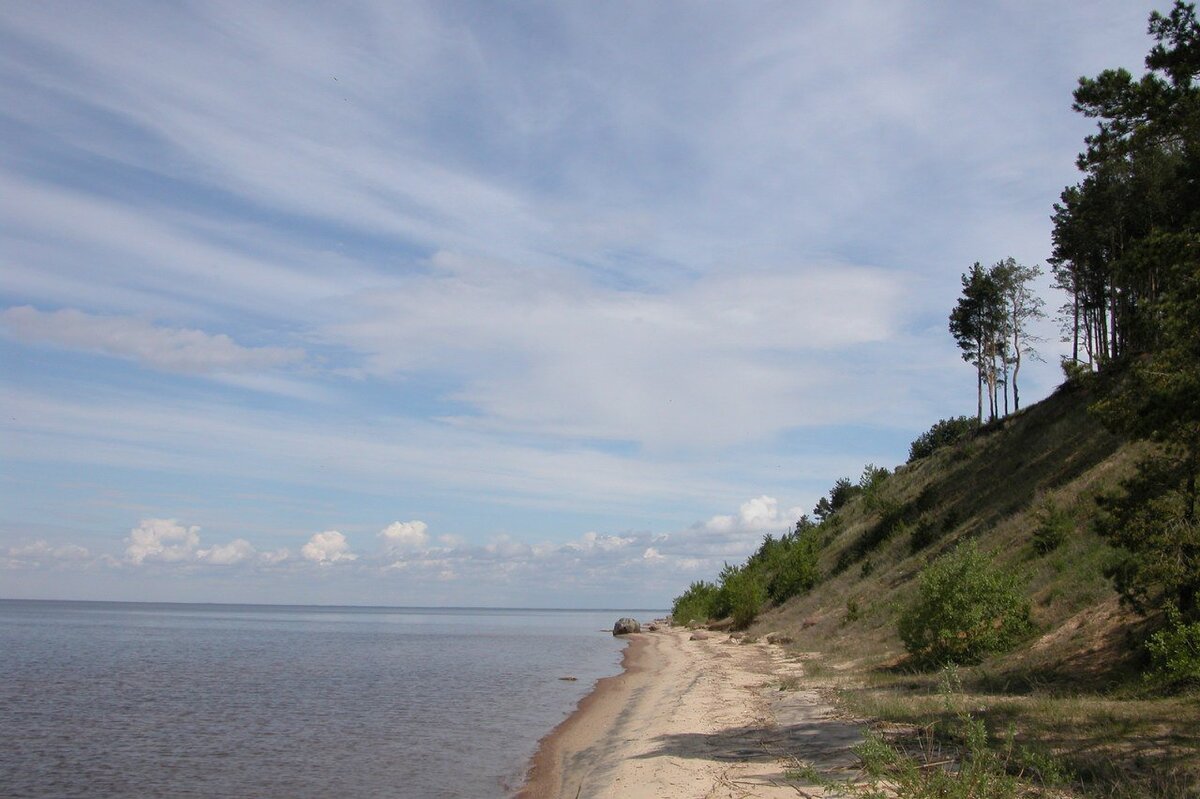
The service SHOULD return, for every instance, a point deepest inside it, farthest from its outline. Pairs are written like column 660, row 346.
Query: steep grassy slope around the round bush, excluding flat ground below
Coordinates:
column 995, row 488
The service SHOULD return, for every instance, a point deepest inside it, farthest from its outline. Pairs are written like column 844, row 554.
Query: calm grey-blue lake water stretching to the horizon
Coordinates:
column 128, row 700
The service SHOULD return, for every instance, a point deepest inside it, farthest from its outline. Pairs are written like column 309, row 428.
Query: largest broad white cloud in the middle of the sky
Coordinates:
column 713, row 362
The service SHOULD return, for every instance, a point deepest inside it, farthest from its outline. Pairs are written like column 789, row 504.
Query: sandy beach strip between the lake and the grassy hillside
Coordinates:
column 695, row 718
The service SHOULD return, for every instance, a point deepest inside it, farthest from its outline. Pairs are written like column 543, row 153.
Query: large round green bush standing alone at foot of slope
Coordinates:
column 965, row 610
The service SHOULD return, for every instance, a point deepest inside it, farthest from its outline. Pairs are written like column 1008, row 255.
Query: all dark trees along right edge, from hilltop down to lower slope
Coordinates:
column 1127, row 253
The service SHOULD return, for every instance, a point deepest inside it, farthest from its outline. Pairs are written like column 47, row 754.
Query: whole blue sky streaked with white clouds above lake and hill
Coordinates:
column 476, row 304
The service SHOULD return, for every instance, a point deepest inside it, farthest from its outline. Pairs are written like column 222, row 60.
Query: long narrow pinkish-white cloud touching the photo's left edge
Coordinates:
column 172, row 350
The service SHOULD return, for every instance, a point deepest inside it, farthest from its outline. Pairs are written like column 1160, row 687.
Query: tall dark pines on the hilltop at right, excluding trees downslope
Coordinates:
column 1121, row 233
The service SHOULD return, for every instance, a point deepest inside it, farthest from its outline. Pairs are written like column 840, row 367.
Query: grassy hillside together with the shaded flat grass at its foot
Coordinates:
column 1071, row 692
